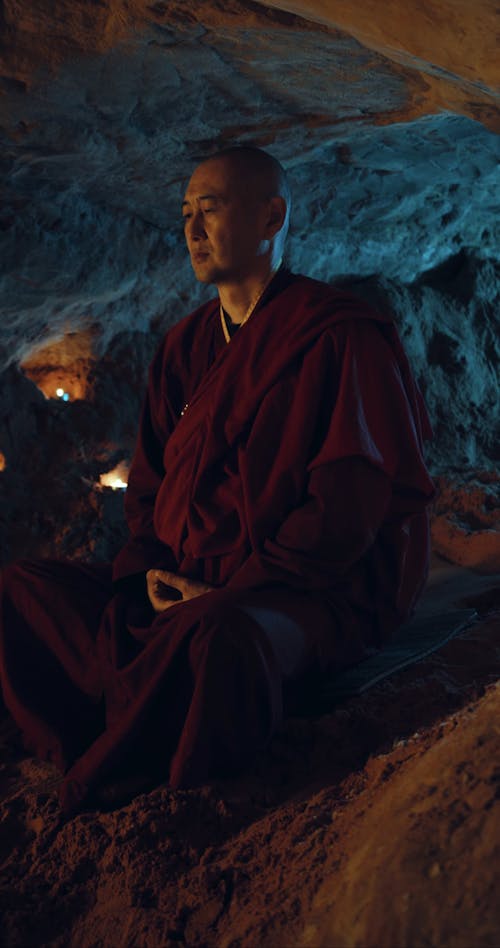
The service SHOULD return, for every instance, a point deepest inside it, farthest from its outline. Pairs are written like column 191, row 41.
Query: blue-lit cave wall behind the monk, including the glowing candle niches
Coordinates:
column 393, row 158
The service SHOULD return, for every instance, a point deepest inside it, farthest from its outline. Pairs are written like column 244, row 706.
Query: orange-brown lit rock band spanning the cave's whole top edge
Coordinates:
column 446, row 49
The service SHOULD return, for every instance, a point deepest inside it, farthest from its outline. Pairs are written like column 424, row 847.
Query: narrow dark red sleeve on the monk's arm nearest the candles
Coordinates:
column 143, row 550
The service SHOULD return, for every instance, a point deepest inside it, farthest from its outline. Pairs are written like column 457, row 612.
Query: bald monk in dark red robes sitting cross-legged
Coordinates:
column 277, row 512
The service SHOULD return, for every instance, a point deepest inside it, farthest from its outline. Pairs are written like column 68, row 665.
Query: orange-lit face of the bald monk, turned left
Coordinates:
column 224, row 223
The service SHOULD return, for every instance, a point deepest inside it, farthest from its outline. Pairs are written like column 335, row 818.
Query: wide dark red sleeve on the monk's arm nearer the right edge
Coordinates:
column 364, row 469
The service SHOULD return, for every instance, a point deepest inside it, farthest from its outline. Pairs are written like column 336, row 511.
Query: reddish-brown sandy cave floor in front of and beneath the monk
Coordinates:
column 371, row 825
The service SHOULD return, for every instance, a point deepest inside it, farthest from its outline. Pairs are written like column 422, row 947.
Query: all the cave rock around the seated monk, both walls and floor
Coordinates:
column 385, row 117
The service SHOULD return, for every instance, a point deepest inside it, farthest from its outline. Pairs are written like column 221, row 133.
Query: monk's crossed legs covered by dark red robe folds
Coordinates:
column 201, row 690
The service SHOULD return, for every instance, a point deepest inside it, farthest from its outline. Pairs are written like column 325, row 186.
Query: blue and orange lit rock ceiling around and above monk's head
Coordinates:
column 386, row 121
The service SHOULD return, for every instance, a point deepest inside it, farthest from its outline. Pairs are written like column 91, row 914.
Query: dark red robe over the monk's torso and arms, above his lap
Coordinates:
column 298, row 460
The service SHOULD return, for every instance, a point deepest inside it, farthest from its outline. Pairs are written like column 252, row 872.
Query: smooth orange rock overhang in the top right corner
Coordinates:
column 451, row 44
